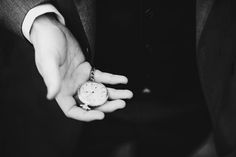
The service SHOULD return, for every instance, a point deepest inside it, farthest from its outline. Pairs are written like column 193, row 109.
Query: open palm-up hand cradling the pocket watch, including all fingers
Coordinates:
column 62, row 65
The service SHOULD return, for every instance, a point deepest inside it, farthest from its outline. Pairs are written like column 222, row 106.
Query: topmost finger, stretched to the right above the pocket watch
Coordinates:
column 109, row 78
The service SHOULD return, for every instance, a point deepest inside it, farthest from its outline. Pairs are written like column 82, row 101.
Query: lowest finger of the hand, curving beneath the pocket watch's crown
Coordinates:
column 68, row 106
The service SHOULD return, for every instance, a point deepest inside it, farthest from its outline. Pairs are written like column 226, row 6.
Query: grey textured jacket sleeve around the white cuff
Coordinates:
column 12, row 13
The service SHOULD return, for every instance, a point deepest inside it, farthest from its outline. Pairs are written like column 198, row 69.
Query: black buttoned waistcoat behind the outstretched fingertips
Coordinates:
column 153, row 43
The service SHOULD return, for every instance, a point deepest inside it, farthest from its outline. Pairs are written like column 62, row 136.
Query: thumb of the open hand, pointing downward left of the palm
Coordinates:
column 49, row 69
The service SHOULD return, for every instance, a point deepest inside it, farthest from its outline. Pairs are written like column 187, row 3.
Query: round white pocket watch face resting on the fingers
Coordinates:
column 93, row 93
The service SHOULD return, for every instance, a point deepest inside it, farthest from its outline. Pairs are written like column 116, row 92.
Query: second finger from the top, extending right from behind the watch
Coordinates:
column 119, row 94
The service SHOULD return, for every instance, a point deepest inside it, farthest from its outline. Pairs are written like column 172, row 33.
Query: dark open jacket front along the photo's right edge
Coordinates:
column 216, row 61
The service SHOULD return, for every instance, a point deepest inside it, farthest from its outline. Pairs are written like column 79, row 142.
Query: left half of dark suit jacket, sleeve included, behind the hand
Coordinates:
column 31, row 126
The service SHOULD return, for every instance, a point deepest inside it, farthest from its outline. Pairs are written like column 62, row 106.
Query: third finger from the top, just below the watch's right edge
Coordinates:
column 111, row 106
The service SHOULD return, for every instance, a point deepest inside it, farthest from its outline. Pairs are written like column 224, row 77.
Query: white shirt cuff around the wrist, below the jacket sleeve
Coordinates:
column 34, row 13
